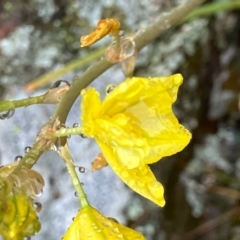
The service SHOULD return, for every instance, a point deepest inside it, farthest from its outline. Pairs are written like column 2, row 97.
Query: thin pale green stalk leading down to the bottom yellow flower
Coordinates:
column 65, row 154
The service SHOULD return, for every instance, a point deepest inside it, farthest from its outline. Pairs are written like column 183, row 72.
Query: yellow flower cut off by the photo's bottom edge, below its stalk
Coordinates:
column 91, row 224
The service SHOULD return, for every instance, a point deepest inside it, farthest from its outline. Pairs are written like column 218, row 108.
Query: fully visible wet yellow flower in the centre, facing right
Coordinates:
column 135, row 126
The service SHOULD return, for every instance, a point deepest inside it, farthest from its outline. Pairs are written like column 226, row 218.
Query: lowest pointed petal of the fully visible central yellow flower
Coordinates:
column 140, row 179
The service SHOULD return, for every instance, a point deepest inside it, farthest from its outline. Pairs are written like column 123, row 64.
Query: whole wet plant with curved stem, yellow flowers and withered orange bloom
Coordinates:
column 134, row 126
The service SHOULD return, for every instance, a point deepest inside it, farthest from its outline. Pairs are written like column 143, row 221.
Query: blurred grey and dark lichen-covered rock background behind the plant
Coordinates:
column 202, row 183
